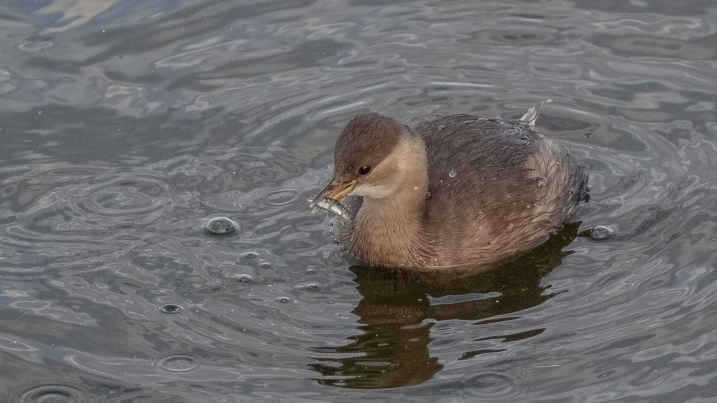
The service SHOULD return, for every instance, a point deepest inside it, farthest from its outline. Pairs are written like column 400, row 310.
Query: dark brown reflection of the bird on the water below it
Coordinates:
column 399, row 308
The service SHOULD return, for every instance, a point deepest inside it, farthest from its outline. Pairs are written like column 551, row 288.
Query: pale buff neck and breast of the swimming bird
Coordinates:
column 390, row 229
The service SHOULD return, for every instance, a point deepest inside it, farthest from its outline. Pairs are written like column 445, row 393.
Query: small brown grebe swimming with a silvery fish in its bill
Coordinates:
column 453, row 191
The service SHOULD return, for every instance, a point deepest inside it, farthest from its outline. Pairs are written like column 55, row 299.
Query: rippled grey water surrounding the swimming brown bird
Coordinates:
column 128, row 125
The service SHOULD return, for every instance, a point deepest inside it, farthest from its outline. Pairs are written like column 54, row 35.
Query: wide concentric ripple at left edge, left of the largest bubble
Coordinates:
column 76, row 215
